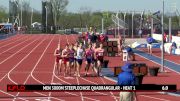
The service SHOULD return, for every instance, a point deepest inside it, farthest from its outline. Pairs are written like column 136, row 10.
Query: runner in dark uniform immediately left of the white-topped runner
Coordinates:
column 71, row 57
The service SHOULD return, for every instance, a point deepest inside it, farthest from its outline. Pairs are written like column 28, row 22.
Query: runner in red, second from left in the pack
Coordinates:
column 66, row 59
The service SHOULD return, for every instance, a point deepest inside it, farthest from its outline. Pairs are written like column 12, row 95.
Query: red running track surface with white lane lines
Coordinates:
column 28, row 59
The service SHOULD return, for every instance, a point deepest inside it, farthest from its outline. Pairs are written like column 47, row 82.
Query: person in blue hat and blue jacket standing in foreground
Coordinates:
column 126, row 78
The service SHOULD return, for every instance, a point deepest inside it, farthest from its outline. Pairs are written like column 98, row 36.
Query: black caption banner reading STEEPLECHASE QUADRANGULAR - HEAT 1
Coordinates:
column 58, row 88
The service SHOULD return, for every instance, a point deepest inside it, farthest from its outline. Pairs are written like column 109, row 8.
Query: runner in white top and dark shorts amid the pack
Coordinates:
column 79, row 59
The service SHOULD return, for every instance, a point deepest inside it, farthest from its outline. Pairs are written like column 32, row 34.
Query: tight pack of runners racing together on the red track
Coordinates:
column 70, row 58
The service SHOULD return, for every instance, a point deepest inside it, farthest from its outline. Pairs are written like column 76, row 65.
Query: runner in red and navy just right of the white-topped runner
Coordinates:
column 89, row 57
